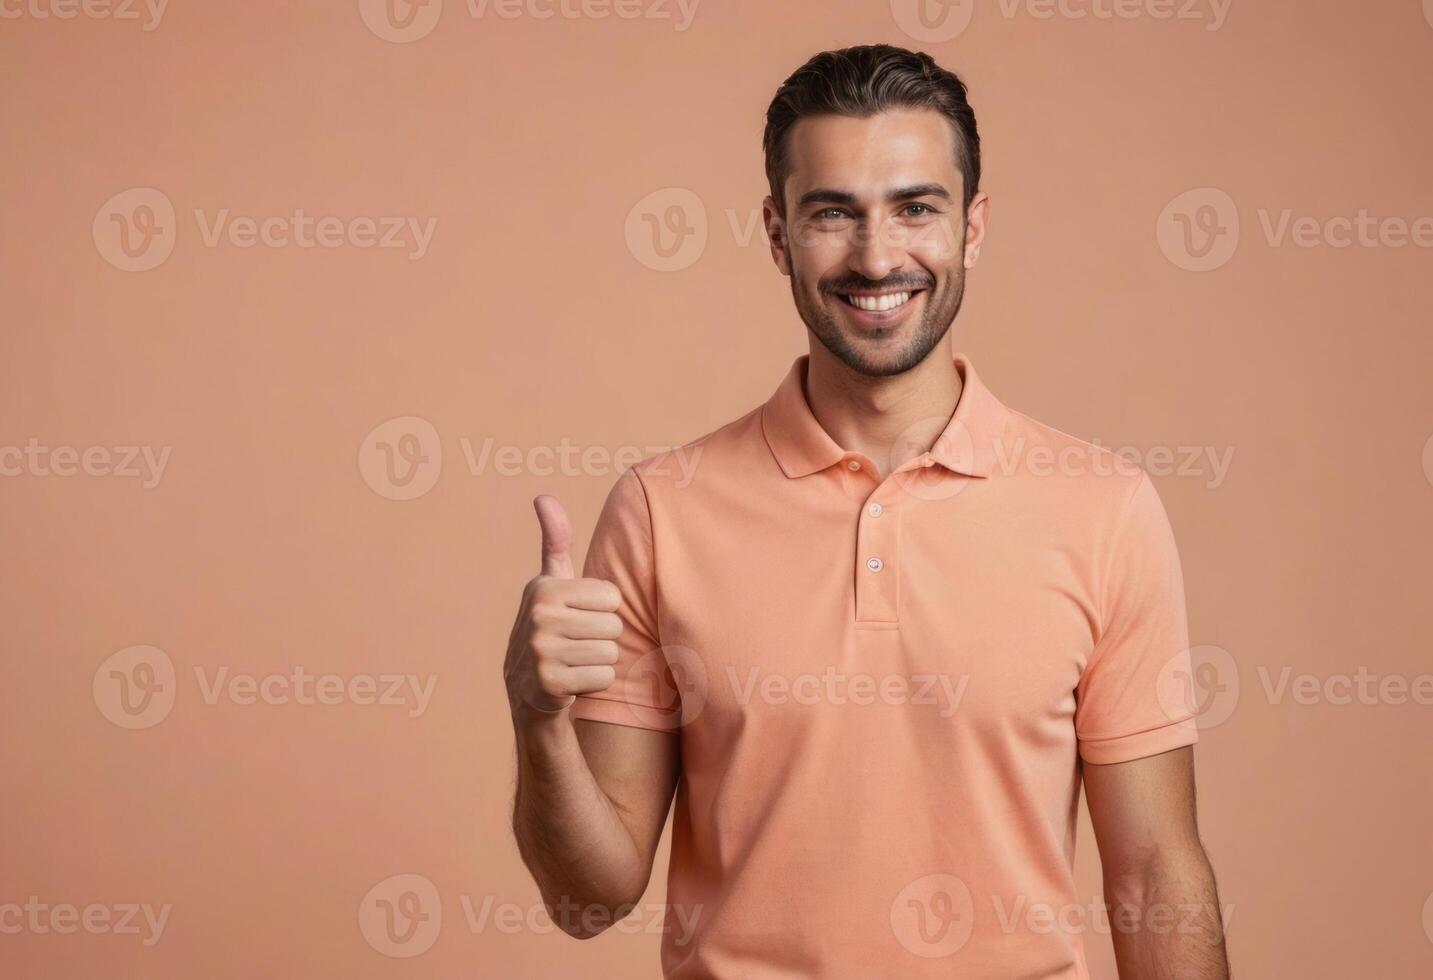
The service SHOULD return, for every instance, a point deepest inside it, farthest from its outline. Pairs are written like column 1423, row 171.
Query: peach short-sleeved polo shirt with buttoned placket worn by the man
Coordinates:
column 885, row 687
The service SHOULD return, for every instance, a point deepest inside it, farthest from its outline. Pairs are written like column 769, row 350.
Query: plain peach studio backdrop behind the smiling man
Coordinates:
column 531, row 322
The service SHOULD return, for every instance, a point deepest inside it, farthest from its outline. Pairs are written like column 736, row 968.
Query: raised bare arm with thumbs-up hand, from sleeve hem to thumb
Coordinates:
column 593, row 799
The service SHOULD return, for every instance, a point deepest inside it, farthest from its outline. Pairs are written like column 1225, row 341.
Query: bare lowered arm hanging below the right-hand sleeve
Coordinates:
column 1166, row 915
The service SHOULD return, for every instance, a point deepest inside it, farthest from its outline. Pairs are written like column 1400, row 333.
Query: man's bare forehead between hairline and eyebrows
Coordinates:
column 896, row 148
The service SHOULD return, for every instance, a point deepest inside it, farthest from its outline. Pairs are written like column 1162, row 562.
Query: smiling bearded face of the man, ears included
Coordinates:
column 876, row 241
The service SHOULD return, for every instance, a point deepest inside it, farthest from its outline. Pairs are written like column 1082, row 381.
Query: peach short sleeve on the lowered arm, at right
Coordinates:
column 1133, row 698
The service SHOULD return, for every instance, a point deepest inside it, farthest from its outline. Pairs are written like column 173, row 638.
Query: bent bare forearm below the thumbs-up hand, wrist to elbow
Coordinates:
column 568, row 832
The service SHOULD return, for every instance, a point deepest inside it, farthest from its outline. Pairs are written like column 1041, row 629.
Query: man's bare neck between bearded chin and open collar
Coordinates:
column 891, row 419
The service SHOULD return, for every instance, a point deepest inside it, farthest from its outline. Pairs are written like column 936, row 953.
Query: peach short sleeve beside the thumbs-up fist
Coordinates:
column 621, row 552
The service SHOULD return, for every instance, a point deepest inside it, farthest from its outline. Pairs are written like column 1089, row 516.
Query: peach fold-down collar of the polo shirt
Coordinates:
column 803, row 448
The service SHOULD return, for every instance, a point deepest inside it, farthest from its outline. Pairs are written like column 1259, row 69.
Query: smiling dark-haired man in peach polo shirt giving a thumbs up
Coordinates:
column 872, row 647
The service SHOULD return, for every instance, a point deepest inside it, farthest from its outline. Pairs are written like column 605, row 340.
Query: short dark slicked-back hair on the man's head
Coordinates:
column 862, row 82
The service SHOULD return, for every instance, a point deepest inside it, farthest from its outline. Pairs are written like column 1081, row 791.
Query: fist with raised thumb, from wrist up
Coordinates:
column 564, row 641
